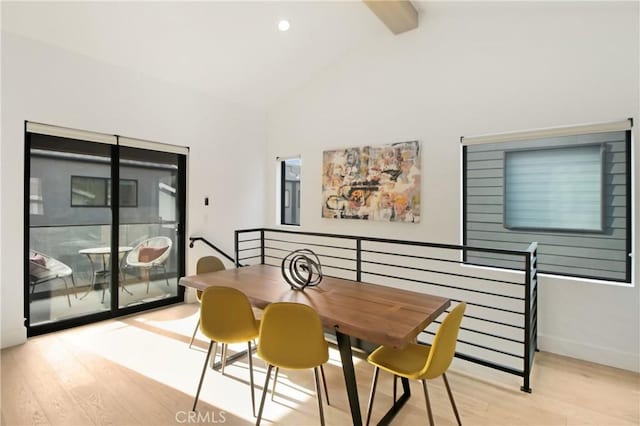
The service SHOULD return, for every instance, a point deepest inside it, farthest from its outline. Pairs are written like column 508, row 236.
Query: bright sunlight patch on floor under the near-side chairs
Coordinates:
column 157, row 348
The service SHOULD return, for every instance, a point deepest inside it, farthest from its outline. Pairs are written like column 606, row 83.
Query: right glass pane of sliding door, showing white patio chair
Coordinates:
column 149, row 223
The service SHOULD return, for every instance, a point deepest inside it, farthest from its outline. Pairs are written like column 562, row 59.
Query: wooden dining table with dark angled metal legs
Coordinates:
column 373, row 313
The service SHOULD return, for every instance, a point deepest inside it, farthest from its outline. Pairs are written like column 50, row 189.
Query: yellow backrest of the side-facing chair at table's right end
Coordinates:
column 443, row 347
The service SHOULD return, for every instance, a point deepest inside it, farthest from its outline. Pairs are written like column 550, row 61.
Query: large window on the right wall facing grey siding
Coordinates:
column 567, row 189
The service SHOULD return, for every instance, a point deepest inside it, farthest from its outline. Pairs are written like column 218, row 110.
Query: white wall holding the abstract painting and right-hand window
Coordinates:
column 470, row 69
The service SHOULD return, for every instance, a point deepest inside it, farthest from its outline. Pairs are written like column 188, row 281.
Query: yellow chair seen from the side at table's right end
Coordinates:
column 421, row 362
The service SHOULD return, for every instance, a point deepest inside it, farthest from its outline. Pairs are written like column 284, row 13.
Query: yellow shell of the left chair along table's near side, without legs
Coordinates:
column 226, row 316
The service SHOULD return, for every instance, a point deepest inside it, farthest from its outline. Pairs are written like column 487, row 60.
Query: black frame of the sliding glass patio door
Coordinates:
column 114, row 310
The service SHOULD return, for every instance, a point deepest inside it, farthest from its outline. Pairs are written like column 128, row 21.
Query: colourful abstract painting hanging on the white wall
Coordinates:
column 372, row 183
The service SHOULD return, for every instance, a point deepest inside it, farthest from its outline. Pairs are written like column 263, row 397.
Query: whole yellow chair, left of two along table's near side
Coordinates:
column 226, row 317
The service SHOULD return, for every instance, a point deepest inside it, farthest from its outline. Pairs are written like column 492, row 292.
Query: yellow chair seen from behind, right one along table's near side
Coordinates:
column 291, row 337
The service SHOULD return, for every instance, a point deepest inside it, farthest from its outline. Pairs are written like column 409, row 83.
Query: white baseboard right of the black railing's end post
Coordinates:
column 593, row 353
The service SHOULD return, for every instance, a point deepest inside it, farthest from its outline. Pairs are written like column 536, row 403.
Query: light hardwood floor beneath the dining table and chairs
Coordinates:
column 139, row 371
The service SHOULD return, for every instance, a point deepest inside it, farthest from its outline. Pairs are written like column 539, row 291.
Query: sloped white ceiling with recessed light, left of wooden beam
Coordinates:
column 230, row 50
